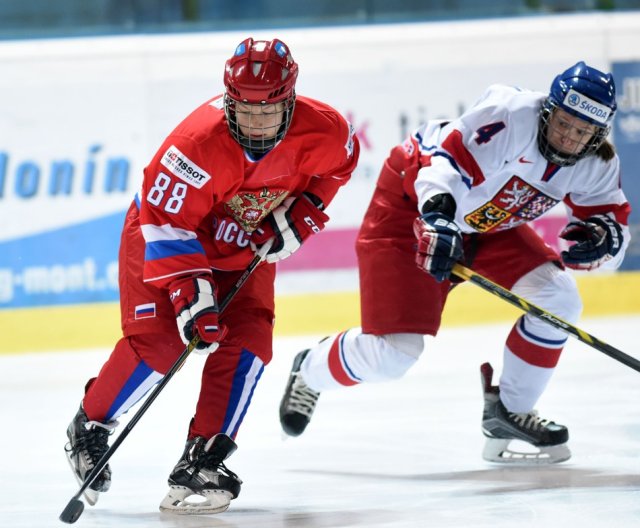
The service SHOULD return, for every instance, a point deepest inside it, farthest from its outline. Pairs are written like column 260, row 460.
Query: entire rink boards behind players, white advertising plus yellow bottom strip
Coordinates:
column 63, row 197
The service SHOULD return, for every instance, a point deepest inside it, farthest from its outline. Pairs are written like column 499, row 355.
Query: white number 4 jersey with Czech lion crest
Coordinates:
column 488, row 160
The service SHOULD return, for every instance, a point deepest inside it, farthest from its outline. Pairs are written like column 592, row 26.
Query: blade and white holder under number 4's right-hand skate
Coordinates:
column 500, row 451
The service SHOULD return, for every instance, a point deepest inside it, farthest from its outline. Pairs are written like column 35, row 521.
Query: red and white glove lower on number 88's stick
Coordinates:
column 196, row 308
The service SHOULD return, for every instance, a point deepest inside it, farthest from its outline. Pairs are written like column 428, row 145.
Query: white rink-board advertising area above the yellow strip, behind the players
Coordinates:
column 82, row 117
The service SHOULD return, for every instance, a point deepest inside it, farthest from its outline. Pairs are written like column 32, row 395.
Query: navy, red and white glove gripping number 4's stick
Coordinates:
column 439, row 244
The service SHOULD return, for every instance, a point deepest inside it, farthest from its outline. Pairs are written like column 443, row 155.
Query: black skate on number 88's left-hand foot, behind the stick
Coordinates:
column 88, row 442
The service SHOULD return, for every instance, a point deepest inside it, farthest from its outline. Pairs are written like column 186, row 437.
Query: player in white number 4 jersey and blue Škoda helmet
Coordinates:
column 476, row 182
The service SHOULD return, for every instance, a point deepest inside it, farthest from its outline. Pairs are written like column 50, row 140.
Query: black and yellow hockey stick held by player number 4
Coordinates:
column 553, row 320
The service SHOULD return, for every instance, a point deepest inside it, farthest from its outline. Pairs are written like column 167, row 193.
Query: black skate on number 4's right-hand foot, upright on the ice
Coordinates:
column 547, row 440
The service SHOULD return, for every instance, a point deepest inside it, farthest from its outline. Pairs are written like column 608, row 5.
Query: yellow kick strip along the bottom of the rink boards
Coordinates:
column 98, row 325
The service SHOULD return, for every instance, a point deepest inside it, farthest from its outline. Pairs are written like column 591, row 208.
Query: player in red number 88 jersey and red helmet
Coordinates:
column 256, row 163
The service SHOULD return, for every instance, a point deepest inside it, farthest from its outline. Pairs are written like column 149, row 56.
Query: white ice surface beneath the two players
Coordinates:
column 400, row 454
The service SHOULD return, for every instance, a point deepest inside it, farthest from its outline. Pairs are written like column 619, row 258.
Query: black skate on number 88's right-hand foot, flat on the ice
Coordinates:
column 201, row 471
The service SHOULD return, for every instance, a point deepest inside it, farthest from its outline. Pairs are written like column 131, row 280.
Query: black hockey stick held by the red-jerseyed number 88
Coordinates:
column 74, row 509
